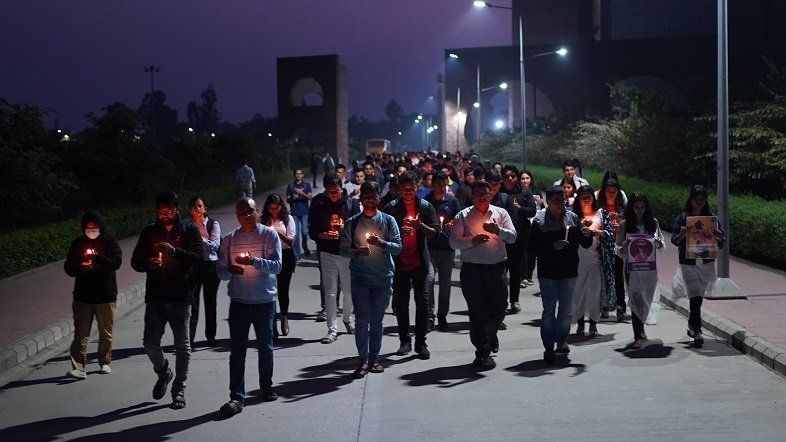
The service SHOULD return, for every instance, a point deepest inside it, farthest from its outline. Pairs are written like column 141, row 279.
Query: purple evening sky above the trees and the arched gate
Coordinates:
column 77, row 56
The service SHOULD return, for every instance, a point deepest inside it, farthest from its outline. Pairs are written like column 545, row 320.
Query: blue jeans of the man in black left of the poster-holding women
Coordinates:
column 555, row 322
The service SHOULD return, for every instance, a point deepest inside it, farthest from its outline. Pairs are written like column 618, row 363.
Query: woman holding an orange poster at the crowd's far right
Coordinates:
column 698, row 270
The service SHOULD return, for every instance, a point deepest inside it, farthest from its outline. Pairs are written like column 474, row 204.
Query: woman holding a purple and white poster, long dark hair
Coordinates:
column 639, row 237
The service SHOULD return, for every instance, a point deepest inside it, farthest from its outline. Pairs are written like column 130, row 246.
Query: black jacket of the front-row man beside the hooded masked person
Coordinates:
column 175, row 280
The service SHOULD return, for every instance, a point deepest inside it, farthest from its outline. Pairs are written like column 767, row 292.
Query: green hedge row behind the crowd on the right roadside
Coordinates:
column 756, row 232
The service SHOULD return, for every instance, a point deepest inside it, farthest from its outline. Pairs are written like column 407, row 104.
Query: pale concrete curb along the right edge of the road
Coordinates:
column 768, row 354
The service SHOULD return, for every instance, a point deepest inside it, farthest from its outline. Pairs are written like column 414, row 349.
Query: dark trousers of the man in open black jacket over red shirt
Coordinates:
column 402, row 281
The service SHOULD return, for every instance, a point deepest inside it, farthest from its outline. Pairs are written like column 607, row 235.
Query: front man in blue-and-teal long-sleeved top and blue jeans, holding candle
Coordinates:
column 370, row 239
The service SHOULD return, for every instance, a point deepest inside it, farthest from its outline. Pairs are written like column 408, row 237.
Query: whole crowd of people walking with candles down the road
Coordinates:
column 387, row 231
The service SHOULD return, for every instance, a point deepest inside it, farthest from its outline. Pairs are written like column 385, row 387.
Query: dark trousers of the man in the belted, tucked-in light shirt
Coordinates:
column 485, row 291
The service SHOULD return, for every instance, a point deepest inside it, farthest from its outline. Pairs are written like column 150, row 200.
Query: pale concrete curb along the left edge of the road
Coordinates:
column 13, row 354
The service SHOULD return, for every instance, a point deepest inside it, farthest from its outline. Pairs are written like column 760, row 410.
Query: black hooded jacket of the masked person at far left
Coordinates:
column 96, row 285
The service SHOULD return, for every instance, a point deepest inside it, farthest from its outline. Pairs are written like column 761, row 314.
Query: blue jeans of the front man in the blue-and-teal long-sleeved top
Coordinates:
column 370, row 302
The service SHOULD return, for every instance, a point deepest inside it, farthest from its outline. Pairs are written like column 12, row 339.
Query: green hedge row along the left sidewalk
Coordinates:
column 29, row 248
